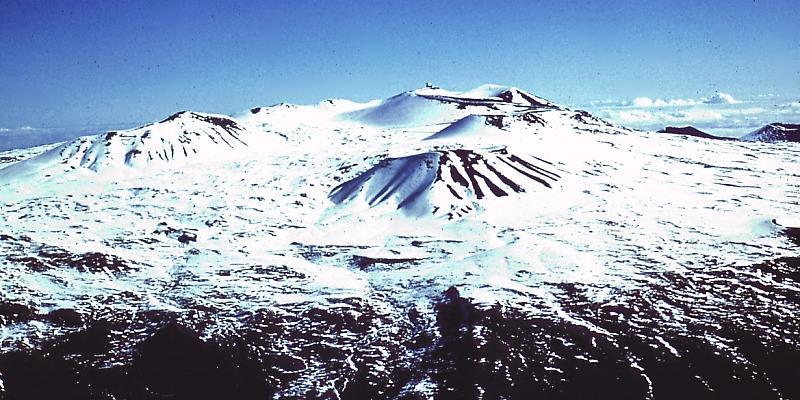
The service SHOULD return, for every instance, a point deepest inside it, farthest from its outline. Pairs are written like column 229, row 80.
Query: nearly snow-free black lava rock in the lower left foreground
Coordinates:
column 173, row 363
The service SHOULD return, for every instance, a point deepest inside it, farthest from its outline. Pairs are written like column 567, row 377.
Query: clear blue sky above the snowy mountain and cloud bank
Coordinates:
column 93, row 63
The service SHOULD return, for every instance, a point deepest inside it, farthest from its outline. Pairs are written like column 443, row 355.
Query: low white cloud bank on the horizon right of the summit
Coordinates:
column 720, row 114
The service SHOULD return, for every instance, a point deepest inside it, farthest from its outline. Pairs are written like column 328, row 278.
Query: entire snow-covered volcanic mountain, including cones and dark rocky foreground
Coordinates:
column 485, row 243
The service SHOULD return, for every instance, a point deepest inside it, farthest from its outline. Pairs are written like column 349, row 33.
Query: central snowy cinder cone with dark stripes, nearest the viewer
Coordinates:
column 449, row 183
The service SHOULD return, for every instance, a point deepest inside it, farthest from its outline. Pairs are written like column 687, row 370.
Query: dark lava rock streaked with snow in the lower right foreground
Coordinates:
column 498, row 352
